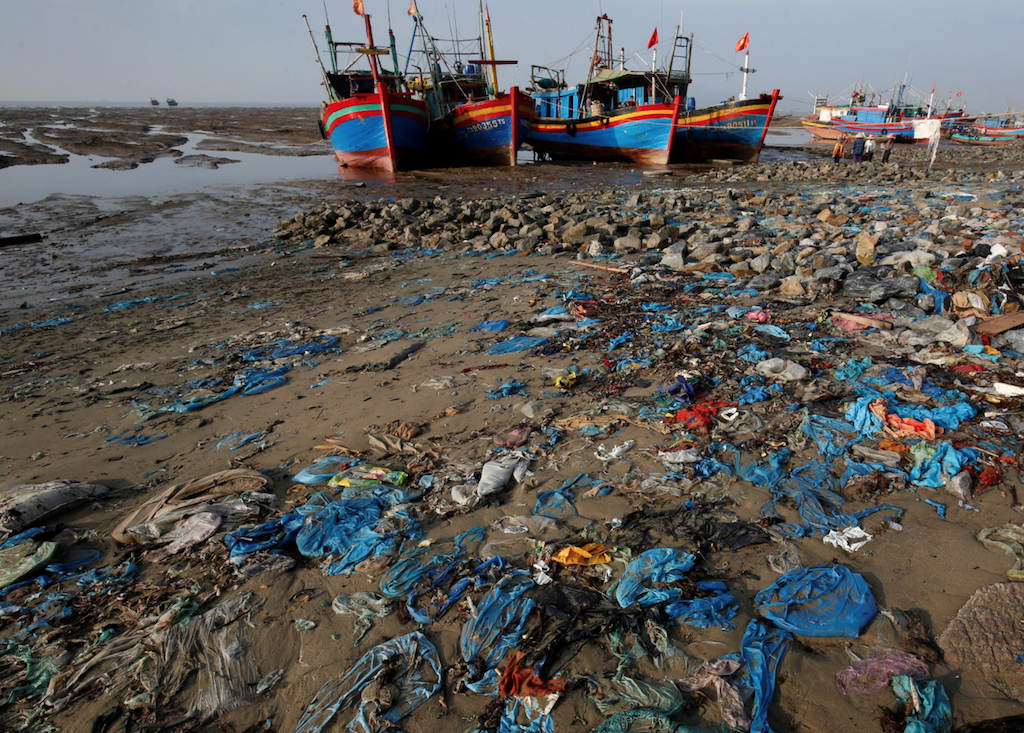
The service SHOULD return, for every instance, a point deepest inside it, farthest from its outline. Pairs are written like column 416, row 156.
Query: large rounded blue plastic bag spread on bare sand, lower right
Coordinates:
column 819, row 601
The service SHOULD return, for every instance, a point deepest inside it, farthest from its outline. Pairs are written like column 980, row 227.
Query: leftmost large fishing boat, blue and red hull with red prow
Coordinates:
column 370, row 119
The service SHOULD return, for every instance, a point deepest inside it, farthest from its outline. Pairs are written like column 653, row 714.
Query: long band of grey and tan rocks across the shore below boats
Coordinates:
column 800, row 245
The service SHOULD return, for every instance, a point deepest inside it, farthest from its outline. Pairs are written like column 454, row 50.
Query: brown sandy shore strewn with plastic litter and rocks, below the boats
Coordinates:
column 600, row 331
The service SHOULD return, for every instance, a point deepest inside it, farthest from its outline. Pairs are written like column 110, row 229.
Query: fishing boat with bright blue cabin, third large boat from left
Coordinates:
column 615, row 116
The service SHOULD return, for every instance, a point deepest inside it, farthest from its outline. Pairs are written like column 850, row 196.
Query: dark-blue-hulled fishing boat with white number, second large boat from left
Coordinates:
column 472, row 122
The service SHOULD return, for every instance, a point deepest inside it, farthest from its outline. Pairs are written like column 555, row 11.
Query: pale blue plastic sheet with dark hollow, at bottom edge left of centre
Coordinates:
column 416, row 670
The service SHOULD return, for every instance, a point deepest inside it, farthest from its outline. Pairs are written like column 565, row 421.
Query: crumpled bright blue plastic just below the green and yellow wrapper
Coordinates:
column 348, row 530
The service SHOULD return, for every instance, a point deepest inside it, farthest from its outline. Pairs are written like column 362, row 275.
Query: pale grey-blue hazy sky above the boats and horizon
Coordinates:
column 259, row 52
